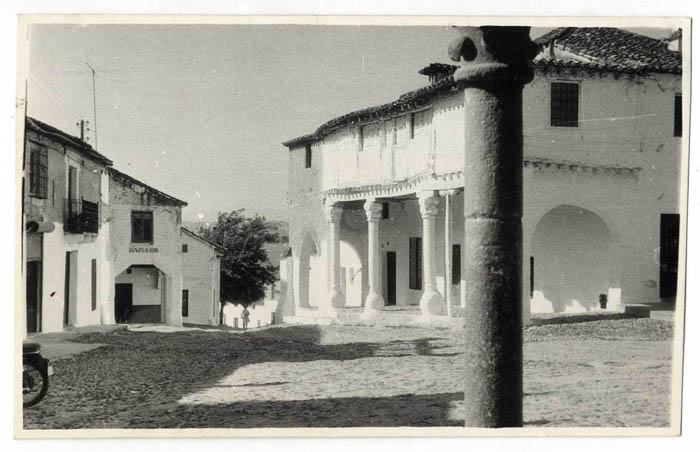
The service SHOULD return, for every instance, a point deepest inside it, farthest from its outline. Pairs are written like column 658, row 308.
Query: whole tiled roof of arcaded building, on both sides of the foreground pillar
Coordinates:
column 613, row 50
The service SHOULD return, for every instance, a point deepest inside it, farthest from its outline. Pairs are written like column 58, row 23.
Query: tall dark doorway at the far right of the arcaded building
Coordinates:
column 668, row 255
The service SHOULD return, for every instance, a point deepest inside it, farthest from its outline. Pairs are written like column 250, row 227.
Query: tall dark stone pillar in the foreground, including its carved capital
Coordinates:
column 494, row 69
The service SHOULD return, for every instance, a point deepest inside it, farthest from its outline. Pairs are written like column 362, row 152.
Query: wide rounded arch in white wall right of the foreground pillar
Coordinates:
column 572, row 261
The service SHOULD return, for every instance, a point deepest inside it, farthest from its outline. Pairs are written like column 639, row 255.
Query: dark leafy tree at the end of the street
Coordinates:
column 245, row 268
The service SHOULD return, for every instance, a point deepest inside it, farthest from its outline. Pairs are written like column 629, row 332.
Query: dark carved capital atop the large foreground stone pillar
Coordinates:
column 493, row 53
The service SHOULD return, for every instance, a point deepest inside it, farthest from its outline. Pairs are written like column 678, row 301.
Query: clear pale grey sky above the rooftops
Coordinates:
column 200, row 111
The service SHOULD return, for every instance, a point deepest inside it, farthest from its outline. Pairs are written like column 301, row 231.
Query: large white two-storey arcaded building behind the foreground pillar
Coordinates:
column 602, row 126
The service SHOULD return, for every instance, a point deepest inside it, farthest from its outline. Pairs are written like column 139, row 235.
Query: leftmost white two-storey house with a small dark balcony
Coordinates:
column 65, row 241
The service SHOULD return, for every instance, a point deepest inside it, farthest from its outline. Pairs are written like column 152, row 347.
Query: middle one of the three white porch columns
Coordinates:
column 374, row 301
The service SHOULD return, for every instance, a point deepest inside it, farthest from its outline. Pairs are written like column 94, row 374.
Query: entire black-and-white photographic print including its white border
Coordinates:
column 336, row 226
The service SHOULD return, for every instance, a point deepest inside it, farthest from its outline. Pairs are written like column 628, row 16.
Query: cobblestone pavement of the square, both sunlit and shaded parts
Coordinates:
column 612, row 372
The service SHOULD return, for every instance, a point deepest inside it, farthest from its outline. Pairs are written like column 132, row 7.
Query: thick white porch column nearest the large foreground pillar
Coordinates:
column 431, row 303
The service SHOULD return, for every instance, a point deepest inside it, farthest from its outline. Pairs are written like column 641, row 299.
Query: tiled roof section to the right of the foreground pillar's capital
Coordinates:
column 615, row 49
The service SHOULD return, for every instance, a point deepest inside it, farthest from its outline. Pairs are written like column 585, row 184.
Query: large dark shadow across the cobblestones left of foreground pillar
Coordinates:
column 136, row 379
